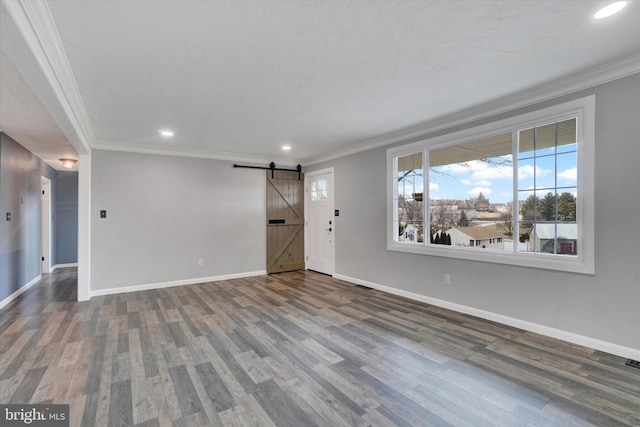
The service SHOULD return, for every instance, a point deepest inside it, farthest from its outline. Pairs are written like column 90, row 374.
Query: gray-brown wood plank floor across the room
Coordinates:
column 295, row 349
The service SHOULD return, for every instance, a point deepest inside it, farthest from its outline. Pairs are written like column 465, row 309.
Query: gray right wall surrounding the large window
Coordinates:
column 604, row 307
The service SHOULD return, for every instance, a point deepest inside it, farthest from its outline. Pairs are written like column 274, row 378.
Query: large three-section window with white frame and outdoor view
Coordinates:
column 518, row 191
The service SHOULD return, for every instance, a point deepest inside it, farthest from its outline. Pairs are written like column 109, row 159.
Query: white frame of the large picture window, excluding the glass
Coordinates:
column 584, row 110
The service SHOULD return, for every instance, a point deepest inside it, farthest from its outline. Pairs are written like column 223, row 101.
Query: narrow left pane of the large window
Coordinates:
column 409, row 225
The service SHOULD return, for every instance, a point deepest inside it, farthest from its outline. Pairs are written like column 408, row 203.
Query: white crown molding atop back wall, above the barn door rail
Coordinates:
column 191, row 152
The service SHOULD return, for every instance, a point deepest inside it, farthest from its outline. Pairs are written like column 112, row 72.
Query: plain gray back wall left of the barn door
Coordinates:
column 164, row 213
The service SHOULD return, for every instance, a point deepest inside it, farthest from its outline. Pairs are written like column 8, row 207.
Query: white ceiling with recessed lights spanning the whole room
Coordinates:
column 239, row 79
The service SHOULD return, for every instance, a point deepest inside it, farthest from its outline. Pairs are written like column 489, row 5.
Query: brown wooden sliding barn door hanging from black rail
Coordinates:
column 285, row 220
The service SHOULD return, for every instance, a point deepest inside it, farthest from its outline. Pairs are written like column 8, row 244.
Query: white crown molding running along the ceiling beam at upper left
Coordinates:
column 35, row 23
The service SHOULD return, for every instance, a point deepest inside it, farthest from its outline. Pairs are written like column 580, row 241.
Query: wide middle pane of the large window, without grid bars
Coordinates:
column 471, row 193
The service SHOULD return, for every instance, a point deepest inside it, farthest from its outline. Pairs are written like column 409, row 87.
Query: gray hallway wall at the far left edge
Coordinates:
column 20, row 175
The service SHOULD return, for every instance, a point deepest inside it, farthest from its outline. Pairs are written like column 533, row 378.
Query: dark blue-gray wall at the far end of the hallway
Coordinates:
column 66, row 217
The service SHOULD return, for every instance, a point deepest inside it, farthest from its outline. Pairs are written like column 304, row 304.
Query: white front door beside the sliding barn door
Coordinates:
column 320, row 226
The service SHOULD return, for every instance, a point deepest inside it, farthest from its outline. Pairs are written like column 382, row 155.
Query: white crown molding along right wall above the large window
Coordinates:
column 586, row 79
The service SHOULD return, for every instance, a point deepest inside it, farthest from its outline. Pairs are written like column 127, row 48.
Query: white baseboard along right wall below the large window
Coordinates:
column 607, row 347
